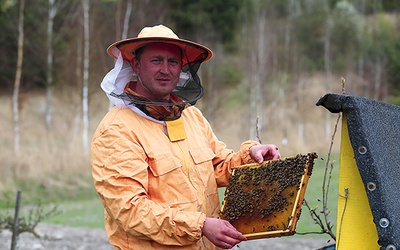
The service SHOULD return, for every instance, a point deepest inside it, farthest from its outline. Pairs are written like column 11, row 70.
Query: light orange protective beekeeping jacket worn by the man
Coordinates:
column 157, row 193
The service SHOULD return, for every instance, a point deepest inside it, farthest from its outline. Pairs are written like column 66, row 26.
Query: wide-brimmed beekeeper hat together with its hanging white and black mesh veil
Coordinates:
column 188, row 89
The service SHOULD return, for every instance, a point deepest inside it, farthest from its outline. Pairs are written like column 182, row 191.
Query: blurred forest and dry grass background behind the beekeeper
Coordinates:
column 273, row 60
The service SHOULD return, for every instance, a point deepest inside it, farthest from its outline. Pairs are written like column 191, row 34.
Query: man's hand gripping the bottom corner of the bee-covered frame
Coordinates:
column 221, row 233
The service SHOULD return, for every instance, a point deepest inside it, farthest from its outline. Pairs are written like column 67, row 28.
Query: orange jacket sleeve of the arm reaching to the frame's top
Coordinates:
column 225, row 158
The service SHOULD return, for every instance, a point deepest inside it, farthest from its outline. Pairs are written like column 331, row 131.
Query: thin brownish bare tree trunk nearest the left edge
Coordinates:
column 18, row 77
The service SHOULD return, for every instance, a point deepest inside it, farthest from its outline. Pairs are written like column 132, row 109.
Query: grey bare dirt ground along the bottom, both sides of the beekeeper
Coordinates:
column 80, row 238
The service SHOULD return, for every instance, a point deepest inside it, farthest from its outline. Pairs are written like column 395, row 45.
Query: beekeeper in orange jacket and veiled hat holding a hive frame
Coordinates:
column 156, row 162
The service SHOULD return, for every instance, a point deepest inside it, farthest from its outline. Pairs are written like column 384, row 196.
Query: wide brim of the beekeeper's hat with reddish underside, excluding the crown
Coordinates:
column 193, row 51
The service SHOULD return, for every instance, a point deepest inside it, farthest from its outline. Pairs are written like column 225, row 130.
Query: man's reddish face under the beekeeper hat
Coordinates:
column 159, row 69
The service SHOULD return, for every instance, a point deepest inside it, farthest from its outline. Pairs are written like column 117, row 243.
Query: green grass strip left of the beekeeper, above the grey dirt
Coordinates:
column 76, row 202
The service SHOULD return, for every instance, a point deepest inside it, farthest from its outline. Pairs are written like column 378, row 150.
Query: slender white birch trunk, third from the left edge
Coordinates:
column 85, row 87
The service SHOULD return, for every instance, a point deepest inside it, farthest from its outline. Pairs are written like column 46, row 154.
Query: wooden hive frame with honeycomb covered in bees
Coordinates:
column 264, row 200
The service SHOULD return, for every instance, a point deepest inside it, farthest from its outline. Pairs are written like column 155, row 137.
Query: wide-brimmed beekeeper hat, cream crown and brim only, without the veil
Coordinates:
column 192, row 52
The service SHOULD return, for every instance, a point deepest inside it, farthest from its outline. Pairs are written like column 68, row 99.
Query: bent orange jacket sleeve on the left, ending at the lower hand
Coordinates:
column 120, row 173
